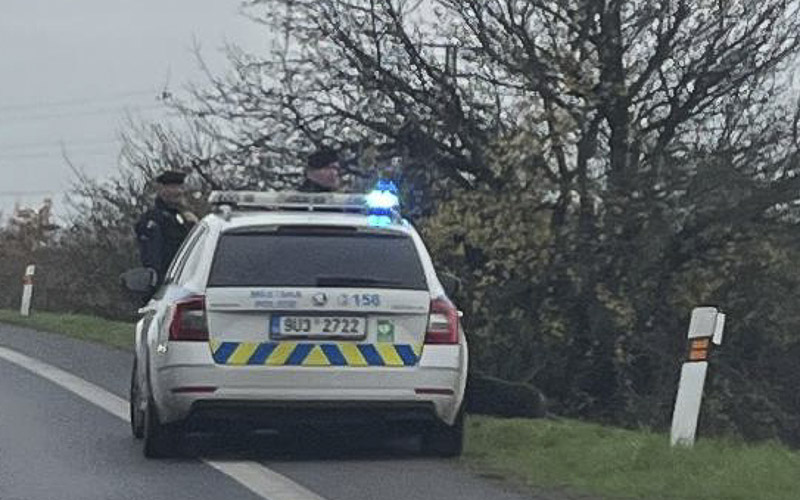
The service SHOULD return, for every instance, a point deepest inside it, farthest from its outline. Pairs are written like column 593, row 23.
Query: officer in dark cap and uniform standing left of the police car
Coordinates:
column 162, row 229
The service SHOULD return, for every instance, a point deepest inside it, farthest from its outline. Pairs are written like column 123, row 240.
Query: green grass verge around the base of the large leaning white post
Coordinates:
column 615, row 463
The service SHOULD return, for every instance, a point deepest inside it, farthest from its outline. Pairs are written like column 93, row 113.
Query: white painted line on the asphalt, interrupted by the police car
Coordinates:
column 254, row 476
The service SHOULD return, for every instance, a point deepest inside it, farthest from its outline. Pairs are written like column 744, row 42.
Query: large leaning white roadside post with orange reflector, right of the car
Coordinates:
column 705, row 328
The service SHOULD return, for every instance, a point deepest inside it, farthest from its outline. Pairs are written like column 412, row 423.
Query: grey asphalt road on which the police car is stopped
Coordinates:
column 55, row 444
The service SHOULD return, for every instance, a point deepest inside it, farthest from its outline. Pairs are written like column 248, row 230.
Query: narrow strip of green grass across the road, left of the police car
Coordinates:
column 114, row 333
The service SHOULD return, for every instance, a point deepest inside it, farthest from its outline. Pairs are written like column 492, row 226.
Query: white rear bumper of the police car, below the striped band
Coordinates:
column 432, row 390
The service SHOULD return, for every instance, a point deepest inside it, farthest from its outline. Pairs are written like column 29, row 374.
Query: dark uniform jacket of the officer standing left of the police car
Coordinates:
column 159, row 233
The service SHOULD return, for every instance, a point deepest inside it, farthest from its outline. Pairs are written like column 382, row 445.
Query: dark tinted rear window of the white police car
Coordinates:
column 317, row 259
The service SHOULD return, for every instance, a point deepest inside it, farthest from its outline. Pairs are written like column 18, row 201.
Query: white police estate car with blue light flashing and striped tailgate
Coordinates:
column 287, row 310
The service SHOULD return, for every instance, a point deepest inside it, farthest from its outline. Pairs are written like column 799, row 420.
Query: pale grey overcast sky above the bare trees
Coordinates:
column 69, row 71
